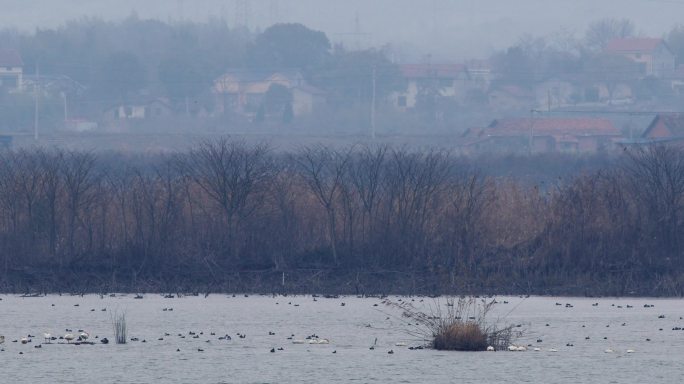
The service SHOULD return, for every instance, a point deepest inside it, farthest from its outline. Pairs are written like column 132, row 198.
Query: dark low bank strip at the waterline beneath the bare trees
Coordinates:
column 336, row 282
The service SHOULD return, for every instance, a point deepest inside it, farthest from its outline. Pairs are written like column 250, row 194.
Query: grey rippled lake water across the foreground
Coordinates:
column 351, row 328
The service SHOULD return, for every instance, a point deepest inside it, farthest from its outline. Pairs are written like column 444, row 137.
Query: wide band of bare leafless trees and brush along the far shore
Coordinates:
column 364, row 218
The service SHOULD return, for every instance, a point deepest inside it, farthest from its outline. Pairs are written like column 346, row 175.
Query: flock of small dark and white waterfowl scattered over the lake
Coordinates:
column 83, row 337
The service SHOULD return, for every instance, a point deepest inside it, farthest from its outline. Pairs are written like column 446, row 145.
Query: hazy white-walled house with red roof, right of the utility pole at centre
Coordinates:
column 444, row 80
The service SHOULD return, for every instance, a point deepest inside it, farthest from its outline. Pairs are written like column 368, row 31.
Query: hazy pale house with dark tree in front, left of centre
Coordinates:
column 243, row 91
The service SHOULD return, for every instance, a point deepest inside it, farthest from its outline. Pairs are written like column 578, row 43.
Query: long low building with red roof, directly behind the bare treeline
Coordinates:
column 542, row 135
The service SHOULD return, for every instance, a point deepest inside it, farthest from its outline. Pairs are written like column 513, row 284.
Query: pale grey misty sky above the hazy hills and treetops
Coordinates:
column 445, row 29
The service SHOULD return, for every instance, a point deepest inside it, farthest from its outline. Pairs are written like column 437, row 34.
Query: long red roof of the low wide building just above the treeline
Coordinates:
column 583, row 126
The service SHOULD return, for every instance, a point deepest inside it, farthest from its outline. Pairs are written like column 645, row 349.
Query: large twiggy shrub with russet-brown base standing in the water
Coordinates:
column 462, row 326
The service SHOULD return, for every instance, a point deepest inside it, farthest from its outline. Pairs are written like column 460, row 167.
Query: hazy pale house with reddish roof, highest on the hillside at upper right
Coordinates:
column 653, row 55
